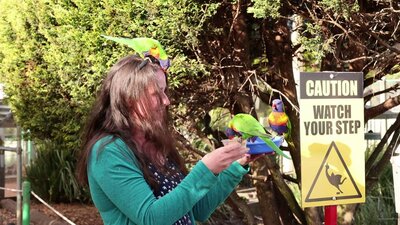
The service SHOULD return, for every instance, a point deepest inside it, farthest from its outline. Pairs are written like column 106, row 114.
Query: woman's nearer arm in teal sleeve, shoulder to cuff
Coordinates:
column 115, row 170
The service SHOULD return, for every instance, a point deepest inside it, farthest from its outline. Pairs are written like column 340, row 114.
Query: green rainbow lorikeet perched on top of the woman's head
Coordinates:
column 145, row 47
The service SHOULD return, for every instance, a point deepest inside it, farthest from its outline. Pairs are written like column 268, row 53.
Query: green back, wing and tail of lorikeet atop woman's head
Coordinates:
column 140, row 45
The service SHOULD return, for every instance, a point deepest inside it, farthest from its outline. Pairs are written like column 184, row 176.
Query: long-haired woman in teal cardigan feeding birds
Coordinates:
column 131, row 164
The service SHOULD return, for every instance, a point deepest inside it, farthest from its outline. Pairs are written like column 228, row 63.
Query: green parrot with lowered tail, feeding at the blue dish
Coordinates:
column 246, row 126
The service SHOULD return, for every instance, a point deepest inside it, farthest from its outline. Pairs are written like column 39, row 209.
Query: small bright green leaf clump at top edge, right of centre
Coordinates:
column 265, row 8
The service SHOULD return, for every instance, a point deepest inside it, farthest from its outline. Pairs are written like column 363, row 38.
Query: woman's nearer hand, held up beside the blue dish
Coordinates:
column 221, row 158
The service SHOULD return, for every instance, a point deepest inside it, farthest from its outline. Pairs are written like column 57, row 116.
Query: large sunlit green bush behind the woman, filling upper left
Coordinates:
column 53, row 59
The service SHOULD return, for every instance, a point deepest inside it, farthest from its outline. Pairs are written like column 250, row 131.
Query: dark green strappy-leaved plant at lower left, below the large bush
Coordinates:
column 52, row 174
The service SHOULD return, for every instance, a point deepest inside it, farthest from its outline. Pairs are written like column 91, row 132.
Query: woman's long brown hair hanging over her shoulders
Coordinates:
column 118, row 111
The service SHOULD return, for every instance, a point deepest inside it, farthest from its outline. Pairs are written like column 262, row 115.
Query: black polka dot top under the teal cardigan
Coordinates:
column 167, row 183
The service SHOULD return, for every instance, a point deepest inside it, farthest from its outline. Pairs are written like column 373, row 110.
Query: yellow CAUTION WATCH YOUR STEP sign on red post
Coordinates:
column 332, row 138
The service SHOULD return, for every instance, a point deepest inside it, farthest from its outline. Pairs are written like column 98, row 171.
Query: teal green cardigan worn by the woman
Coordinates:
column 122, row 196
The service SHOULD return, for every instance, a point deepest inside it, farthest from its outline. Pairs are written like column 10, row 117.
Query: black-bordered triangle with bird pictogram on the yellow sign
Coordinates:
column 333, row 180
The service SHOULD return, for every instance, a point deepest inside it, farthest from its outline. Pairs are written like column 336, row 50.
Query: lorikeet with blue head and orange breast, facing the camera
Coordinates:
column 278, row 119
